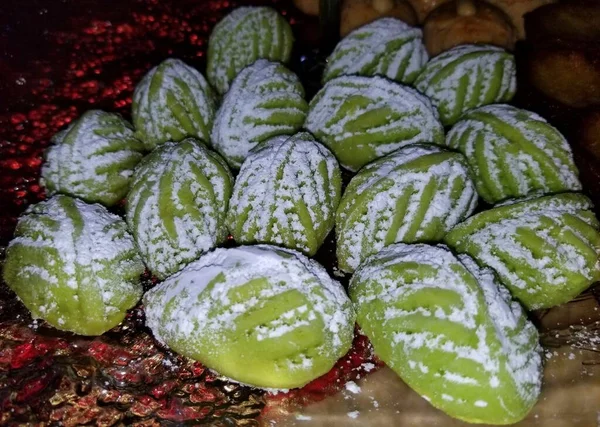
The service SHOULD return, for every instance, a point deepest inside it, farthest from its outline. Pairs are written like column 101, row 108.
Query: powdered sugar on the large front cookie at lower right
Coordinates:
column 502, row 345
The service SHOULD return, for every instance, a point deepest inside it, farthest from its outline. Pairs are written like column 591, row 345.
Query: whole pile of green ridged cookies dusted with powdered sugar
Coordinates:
column 436, row 288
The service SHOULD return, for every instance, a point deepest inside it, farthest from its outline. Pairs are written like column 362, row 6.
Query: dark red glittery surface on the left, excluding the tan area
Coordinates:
column 61, row 60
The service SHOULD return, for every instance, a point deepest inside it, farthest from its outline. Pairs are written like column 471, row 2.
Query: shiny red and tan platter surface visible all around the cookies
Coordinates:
column 74, row 56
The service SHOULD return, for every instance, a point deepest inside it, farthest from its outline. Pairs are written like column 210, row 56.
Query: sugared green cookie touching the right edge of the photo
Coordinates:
column 544, row 250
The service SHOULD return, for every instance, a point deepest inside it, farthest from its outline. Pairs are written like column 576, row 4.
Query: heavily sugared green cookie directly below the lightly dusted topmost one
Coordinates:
column 265, row 100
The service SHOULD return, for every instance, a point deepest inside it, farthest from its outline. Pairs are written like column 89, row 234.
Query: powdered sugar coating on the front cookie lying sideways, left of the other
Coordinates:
column 202, row 293
